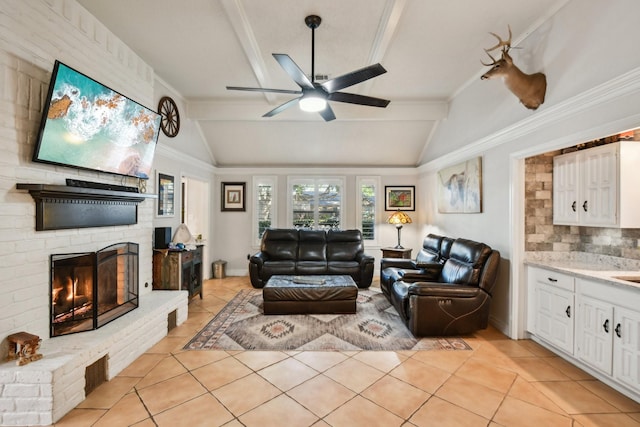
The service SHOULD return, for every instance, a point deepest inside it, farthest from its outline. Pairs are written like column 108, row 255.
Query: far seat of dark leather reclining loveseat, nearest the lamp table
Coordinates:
column 435, row 250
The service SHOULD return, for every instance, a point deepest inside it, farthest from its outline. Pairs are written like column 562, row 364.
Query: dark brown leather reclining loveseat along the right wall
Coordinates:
column 453, row 297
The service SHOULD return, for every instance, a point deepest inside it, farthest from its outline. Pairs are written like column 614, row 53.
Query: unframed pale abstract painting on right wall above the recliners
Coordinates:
column 460, row 187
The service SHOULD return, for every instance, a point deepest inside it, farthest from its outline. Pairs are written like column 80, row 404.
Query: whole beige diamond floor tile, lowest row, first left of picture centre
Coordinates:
column 245, row 394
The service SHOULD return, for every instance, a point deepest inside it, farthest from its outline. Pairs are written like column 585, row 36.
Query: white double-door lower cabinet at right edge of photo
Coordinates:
column 608, row 330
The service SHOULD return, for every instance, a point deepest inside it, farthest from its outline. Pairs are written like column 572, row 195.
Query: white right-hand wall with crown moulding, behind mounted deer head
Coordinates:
column 588, row 51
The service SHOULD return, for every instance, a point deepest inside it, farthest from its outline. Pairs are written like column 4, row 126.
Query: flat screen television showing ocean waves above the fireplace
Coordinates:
column 87, row 125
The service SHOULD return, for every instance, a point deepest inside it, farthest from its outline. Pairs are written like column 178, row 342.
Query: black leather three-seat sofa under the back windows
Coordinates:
column 311, row 252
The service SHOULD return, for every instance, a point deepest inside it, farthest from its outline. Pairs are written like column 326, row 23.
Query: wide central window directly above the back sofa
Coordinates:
column 316, row 202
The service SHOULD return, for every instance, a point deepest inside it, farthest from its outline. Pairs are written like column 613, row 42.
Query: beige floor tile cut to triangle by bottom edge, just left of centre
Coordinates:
column 281, row 411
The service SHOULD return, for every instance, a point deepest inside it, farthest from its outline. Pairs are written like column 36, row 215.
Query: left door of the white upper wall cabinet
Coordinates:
column 565, row 189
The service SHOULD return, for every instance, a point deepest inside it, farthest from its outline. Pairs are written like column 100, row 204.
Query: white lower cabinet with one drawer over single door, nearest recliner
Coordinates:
column 552, row 308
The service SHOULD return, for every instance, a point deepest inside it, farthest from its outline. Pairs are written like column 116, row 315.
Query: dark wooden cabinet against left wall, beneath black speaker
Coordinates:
column 178, row 270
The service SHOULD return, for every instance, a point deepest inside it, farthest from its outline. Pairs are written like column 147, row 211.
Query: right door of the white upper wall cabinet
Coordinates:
column 598, row 193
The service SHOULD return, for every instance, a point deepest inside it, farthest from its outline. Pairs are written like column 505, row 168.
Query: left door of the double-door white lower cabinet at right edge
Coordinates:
column 594, row 333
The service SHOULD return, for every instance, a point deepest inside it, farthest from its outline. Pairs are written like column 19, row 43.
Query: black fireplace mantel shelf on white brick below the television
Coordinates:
column 62, row 207
